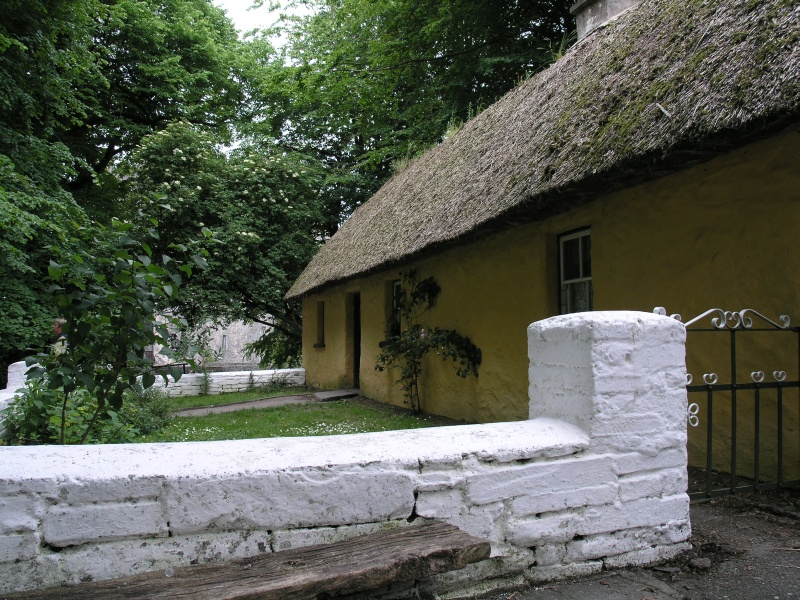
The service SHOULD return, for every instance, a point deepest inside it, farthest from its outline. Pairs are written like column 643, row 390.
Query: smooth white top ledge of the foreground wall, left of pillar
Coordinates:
column 499, row 442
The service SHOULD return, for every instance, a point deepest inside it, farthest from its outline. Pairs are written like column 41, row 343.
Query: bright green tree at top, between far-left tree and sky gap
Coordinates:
column 160, row 62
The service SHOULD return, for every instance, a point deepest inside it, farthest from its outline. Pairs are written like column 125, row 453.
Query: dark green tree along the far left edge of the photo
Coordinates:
column 44, row 60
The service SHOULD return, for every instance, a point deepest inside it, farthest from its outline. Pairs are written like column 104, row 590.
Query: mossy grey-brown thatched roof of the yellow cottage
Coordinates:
column 669, row 83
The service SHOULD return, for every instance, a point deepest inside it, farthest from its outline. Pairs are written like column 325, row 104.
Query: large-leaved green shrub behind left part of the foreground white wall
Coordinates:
column 109, row 299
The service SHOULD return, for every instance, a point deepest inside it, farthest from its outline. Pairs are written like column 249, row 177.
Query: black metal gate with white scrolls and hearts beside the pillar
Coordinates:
column 745, row 412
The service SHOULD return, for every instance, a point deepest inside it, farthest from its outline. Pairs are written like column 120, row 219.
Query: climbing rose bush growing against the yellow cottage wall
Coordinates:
column 415, row 339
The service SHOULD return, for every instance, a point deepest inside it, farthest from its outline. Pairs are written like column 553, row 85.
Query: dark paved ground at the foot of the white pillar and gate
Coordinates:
column 745, row 548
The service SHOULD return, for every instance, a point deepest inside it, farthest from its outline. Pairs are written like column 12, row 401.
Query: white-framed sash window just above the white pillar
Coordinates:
column 575, row 270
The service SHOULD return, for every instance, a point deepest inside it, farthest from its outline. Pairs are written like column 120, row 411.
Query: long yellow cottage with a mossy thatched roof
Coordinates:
column 656, row 164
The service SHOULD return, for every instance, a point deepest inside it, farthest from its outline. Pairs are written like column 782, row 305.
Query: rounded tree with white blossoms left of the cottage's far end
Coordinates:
column 262, row 205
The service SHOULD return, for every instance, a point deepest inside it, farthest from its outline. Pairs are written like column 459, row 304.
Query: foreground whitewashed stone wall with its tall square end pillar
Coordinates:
column 595, row 479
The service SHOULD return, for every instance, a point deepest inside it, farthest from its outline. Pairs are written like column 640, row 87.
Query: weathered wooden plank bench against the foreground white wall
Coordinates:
column 359, row 564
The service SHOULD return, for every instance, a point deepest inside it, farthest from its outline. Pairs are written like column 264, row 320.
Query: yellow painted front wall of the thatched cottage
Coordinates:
column 721, row 234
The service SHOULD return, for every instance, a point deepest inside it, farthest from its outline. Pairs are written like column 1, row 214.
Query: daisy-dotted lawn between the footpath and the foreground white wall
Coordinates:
column 329, row 418
